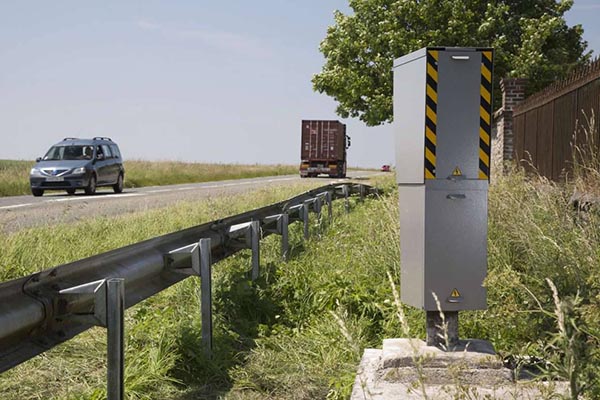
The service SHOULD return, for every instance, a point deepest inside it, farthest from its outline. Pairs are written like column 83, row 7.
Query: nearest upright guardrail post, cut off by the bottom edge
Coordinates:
column 115, row 309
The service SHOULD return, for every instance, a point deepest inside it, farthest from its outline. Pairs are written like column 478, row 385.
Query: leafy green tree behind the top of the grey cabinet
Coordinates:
column 530, row 37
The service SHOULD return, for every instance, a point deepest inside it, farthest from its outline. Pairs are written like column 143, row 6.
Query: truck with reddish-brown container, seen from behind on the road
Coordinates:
column 323, row 148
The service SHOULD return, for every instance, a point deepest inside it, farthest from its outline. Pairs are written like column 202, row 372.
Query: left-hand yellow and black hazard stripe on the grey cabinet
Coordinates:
column 431, row 114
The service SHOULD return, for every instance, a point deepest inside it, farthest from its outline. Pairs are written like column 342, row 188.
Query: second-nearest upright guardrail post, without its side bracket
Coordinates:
column 206, row 294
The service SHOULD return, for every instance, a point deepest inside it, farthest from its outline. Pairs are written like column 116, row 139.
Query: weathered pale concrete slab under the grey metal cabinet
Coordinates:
column 408, row 369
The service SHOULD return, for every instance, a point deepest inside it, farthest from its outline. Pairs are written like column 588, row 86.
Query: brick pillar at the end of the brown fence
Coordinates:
column 513, row 93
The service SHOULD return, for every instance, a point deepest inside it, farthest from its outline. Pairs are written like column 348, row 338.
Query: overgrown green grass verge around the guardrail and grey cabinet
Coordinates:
column 299, row 331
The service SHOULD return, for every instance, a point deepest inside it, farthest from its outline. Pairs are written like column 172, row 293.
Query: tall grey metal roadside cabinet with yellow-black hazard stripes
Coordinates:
column 442, row 123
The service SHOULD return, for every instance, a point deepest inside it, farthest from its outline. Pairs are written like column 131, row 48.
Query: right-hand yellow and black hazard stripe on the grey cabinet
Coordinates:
column 485, row 114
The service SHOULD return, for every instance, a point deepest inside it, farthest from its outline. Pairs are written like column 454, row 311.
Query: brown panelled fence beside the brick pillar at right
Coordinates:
column 548, row 123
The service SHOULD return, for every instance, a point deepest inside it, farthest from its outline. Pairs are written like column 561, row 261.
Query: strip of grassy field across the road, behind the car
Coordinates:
column 14, row 175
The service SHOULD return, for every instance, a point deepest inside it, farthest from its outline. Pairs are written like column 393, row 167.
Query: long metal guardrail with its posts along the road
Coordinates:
column 42, row 310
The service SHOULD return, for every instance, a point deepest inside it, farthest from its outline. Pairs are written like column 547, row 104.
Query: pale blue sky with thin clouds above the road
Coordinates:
column 181, row 80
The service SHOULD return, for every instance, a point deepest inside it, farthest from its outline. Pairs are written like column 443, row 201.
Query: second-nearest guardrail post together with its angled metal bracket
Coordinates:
column 201, row 257
